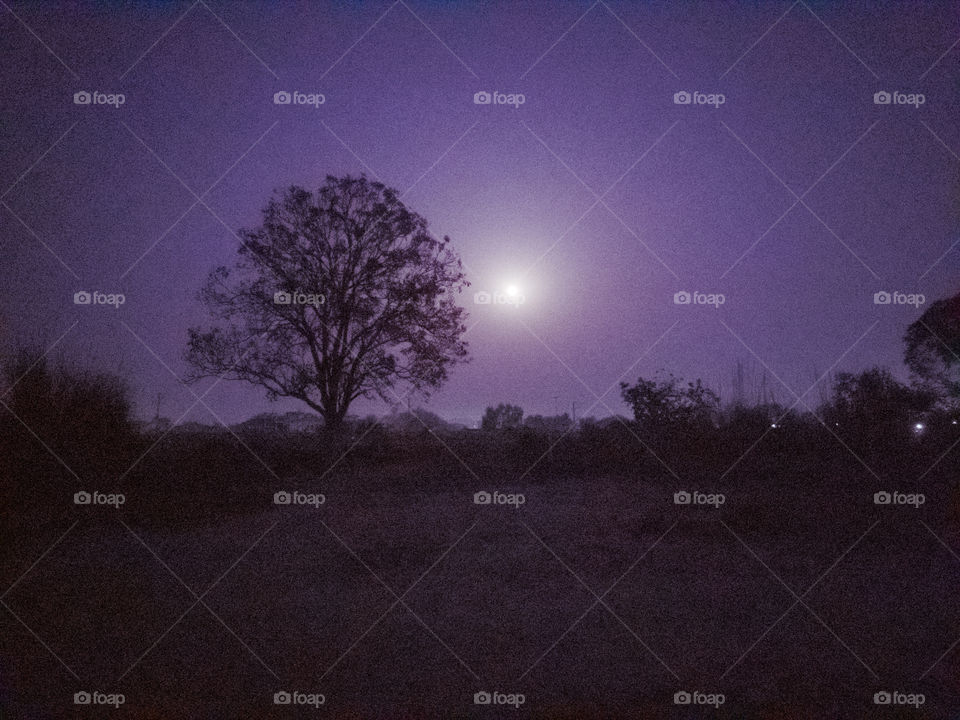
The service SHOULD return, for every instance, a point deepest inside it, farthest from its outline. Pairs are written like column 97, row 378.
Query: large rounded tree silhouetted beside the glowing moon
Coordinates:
column 338, row 294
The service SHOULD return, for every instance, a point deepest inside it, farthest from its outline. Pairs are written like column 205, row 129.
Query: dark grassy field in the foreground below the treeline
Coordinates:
column 399, row 597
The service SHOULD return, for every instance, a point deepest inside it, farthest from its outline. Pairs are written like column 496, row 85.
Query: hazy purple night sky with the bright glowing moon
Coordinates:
column 99, row 198
